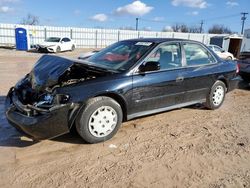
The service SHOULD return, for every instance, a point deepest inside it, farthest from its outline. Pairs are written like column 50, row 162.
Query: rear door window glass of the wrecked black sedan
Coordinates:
column 197, row 55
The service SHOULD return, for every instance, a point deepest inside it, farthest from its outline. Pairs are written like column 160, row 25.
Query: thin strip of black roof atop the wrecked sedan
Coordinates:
column 160, row 40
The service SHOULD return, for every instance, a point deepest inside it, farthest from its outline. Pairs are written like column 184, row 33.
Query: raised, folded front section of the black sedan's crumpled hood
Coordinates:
column 48, row 70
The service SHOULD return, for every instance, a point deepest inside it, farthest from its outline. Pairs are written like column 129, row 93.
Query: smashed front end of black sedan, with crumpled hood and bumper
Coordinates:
column 34, row 106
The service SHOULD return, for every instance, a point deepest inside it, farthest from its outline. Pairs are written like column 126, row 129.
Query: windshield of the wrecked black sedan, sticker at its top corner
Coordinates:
column 121, row 55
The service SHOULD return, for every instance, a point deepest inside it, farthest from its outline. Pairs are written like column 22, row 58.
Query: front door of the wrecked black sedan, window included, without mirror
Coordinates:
column 156, row 90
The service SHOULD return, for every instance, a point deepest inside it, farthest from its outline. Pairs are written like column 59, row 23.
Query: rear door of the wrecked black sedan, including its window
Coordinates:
column 199, row 74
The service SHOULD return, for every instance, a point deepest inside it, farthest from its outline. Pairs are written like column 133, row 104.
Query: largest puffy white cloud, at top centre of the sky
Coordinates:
column 137, row 8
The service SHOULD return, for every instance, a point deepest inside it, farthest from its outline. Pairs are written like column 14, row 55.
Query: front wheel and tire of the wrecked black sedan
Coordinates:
column 99, row 120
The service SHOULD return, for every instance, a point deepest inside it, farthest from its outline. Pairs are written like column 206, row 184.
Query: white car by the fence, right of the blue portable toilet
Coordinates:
column 56, row 45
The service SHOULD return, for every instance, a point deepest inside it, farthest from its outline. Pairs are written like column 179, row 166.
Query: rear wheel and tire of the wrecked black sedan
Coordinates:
column 216, row 95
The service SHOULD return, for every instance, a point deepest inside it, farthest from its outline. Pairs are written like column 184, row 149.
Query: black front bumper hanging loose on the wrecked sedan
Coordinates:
column 44, row 125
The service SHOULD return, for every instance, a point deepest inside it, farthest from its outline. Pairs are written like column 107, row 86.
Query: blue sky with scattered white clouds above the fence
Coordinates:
column 153, row 14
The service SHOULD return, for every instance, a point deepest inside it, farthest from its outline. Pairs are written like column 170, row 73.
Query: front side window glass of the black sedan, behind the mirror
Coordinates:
column 168, row 55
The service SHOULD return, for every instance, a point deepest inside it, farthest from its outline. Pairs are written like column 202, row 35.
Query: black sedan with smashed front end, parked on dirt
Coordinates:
column 126, row 80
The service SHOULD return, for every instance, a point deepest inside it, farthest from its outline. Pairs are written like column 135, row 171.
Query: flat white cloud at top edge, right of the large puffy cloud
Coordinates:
column 191, row 3
